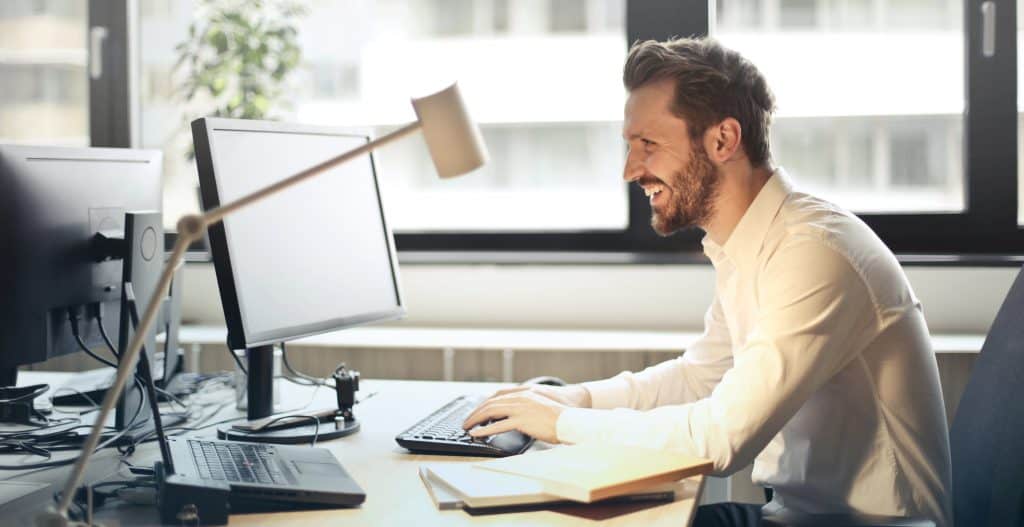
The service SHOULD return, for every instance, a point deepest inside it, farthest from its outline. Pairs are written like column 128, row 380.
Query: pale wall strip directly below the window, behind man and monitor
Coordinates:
column 641, row 297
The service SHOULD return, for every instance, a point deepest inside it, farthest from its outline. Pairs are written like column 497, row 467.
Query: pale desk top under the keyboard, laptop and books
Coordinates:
column 389, row 473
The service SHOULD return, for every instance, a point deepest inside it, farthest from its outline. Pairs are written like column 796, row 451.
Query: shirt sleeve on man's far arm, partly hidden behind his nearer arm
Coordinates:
column 688, row 378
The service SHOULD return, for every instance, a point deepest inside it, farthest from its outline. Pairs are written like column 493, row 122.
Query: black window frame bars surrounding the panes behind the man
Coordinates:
column 986, row 234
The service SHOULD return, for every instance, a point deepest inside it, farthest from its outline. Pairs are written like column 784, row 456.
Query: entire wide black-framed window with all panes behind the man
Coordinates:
column 894, row 109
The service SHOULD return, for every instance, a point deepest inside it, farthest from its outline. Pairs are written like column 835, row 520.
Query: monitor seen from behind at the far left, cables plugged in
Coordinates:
column 54, row 203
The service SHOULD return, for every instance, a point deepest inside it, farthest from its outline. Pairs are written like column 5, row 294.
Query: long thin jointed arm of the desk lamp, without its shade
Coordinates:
column 191, row 229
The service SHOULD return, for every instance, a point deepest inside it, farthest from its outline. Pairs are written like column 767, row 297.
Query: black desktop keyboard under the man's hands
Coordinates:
column 442, row 433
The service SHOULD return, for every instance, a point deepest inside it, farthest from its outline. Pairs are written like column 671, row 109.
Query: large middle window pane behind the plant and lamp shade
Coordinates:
column 542, row 80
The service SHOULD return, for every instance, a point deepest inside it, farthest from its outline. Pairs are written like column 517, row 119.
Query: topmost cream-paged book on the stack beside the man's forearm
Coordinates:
column 590, row 472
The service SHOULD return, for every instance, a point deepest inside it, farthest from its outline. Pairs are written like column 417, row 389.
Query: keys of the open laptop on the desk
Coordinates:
column 241, row 463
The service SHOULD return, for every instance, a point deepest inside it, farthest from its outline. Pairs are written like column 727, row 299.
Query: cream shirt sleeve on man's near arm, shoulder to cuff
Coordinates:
column 816, row 316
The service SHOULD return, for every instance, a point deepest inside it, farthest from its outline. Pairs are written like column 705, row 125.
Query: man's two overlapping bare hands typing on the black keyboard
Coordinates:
column 532, row 410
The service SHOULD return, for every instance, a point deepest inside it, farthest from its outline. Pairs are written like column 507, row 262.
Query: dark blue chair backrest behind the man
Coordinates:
column 988, row 434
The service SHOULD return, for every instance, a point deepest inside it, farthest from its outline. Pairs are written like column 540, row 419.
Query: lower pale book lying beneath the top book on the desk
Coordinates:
column 460, row 486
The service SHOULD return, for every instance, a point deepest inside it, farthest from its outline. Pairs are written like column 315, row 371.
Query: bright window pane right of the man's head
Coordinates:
column 888, row 79
